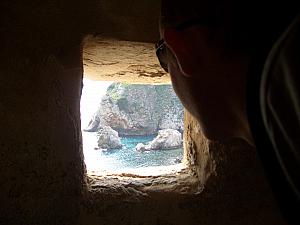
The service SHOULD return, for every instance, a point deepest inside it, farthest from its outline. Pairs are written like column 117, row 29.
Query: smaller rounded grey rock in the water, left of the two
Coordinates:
column 108, row 138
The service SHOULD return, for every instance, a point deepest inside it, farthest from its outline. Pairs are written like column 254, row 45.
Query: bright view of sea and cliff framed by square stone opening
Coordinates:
column 131, row 128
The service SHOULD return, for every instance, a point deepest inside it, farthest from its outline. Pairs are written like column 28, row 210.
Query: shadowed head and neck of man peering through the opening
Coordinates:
column 207, row 47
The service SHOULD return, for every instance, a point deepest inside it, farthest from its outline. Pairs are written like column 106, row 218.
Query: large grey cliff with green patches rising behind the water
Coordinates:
column 136, row 109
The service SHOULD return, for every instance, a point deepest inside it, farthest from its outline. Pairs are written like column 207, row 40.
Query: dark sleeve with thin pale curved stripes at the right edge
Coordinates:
column 280, row 104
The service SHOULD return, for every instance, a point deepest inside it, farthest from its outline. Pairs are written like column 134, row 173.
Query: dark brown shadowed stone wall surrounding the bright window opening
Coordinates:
column 43, row 178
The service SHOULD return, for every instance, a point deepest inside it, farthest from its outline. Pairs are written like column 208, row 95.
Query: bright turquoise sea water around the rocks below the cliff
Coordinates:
column 127, row 157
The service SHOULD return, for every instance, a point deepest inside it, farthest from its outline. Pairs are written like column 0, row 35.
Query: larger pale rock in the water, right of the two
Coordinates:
column 166, row 139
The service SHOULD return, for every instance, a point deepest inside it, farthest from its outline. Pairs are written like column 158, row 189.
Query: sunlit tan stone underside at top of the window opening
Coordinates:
column 123, row 61
